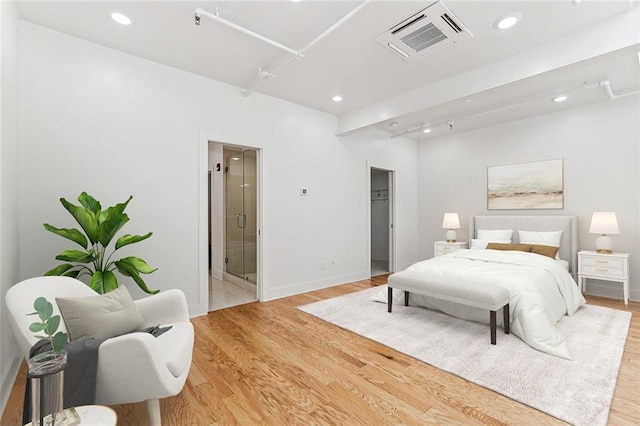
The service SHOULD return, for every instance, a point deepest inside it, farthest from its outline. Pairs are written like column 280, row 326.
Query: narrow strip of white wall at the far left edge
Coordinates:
column 8, row 188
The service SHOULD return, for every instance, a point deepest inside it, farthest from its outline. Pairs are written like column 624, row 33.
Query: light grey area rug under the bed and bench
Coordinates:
column 578, row 391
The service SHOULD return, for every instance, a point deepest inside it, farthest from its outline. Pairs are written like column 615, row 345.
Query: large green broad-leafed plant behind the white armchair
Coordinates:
column 100, row 228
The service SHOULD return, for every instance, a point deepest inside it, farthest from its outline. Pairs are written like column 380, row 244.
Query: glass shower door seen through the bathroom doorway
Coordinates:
column 241, row 224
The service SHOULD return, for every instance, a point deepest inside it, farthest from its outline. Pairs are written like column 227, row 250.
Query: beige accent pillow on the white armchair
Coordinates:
column 103, row 316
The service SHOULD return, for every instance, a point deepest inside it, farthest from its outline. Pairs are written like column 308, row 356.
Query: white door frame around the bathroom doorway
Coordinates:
column 203, row 222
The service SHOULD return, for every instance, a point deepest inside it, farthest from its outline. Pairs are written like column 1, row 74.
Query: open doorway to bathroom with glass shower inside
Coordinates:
column 233, row 225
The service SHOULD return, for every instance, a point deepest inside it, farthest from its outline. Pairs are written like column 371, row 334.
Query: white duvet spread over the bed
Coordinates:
column 542, row 292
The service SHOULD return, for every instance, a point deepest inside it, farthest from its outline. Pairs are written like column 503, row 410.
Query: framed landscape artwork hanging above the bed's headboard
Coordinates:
column 536, row 185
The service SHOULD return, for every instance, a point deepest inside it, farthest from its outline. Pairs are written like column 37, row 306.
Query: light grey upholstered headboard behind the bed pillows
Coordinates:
column 567, row 224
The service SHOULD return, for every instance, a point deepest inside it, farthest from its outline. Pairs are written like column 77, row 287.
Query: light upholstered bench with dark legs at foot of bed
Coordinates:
column 483, row 296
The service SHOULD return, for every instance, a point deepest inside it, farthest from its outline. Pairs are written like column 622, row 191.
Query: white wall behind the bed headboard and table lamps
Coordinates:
column 599, row 145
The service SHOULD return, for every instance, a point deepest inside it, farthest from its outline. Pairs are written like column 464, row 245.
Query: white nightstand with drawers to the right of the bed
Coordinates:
column 608, row 267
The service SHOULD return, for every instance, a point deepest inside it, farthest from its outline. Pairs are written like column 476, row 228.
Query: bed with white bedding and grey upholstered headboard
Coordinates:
column 542, row 287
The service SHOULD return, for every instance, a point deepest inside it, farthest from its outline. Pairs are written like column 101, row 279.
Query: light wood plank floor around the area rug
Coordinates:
column 269, row 363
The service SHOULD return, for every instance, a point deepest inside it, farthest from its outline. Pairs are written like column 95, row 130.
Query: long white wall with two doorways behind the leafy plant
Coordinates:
column 114, row 125
